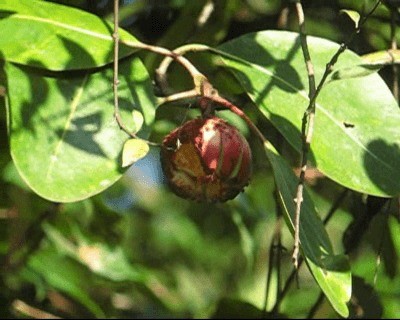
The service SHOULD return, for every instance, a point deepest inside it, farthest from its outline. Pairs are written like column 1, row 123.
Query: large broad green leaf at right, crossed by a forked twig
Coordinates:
column 356, row 138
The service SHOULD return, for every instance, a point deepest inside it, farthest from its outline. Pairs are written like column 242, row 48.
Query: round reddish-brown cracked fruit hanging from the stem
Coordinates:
column 206, row 160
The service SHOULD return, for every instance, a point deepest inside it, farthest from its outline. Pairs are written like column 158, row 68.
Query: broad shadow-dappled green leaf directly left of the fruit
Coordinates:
column 64, row 139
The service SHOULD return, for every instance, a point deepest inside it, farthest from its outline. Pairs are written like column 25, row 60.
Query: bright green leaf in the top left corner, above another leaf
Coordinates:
column 56, row 37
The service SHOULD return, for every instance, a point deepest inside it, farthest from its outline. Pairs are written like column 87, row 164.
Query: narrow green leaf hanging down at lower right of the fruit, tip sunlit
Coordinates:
column 332, row 272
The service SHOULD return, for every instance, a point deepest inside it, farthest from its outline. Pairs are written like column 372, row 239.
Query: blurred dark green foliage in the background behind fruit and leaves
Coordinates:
column 138, row 251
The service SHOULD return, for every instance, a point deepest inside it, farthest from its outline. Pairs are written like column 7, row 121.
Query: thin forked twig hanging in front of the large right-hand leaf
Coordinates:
column 309, row 115
